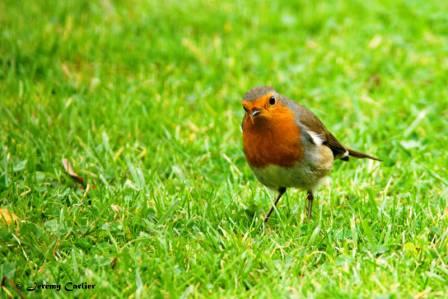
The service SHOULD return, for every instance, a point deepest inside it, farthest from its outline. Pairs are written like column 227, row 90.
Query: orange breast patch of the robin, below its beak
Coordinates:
column 274, row 140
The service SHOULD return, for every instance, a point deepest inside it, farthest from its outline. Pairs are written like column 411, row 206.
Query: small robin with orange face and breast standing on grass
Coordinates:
column 286, row 145
